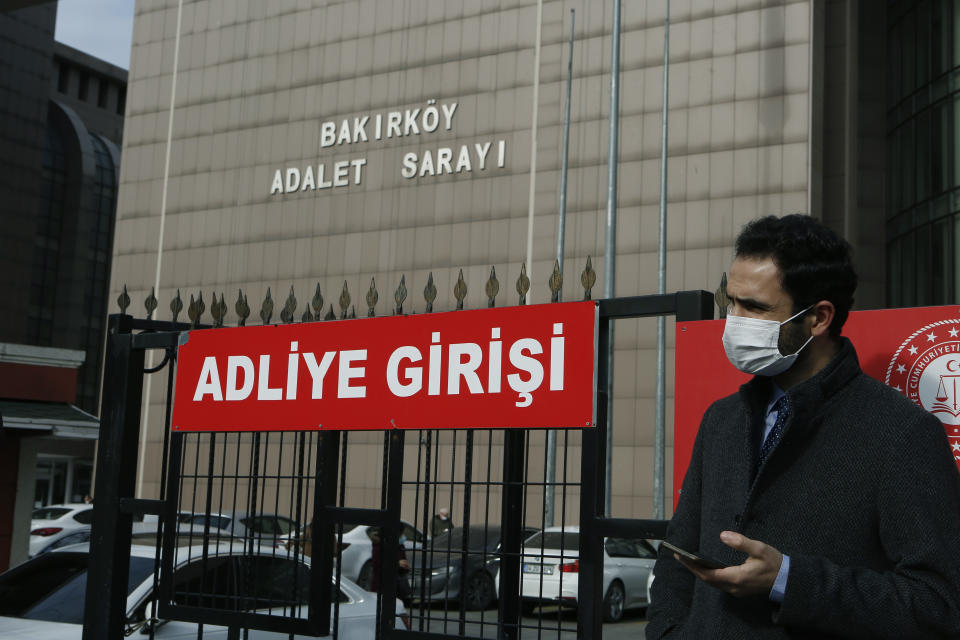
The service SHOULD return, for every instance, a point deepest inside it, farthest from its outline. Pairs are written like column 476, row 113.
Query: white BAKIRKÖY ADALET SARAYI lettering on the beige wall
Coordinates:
column 469, row 157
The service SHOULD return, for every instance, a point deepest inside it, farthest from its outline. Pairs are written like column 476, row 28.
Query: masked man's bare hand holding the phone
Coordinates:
column 754, row 577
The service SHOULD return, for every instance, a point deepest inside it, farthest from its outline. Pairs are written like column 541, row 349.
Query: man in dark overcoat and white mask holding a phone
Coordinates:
column 833, row 498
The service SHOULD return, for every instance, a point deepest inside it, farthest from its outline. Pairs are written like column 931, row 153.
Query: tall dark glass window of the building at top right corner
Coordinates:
column 923, row 148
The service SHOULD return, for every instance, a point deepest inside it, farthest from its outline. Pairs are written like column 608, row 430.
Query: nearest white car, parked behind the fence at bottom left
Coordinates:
column 43, row 599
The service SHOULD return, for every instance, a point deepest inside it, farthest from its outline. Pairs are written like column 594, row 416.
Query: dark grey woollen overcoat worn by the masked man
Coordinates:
column 862, row 492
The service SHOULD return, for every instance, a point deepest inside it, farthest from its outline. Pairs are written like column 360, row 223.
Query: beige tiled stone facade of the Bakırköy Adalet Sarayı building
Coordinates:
column 256, row 80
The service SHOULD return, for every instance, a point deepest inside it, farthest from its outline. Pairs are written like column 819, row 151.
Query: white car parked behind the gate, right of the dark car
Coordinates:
column 551, row 569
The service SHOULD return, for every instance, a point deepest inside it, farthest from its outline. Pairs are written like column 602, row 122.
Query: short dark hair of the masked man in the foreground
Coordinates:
column 814, row 262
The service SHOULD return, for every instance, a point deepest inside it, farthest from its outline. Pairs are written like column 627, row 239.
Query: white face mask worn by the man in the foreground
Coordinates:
column 752, row 345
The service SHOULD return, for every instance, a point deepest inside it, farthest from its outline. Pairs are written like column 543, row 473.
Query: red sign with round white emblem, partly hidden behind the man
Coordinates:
column 915, row 351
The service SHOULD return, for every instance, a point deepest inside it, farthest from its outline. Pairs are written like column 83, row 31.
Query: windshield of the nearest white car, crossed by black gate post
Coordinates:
column 53, row 586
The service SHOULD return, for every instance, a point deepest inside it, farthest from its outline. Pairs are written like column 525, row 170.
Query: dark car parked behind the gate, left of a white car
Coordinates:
column 439, row 571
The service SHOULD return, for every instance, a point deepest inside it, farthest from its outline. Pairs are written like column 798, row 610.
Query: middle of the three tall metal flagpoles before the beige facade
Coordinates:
column 610, row 258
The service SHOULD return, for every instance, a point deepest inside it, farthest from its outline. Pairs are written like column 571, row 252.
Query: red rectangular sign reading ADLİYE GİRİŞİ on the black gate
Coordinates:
column 529, row 367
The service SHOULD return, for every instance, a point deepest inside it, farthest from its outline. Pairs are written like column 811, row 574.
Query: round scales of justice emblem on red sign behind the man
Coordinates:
column 926, row 369
